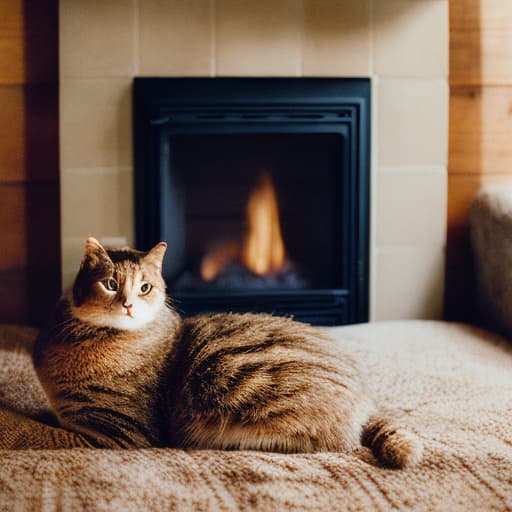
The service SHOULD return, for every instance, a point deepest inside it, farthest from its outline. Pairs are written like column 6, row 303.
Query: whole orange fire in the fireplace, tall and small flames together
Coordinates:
column 263, row 250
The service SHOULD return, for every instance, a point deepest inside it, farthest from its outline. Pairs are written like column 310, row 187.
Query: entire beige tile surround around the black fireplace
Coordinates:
column 401, row 44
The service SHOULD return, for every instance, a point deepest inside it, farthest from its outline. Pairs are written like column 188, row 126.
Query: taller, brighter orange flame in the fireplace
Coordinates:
column 263, row 250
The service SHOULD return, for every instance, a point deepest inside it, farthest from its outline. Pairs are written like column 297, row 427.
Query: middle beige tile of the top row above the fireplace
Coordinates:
column 258, row 38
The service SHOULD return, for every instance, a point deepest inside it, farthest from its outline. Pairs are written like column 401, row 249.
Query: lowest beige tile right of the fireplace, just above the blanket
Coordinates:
column 409, row 283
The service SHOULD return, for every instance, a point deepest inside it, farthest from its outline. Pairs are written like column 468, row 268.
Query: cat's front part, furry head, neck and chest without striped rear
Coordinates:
column 103, row 380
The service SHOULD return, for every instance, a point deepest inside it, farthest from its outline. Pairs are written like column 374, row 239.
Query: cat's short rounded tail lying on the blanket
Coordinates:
column 393, row 446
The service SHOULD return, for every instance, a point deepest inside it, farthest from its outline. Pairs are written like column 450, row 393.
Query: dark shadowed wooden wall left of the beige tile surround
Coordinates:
column 29, row 170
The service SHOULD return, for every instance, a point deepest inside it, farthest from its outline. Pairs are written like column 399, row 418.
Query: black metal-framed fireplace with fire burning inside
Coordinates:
column 261, row 189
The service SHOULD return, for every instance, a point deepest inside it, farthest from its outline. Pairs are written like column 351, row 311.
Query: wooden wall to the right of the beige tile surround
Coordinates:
column 480, row 151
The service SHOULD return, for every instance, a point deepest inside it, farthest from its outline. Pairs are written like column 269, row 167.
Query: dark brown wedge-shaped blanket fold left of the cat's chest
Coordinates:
column 18, row 432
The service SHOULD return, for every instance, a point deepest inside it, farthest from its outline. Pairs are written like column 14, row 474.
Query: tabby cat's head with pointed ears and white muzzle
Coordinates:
column 119, row 288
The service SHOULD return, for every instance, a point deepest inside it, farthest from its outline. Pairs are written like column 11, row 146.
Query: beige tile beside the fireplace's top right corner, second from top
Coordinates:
column 413, row 122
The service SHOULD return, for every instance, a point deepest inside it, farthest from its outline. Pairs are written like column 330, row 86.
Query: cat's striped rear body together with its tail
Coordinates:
column 267, row 383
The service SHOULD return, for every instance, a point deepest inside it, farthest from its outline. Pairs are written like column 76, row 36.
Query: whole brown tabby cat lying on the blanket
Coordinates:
column 122, row 369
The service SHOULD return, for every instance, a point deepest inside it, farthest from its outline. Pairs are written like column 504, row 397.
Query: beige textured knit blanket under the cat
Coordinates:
column 450, row 383
